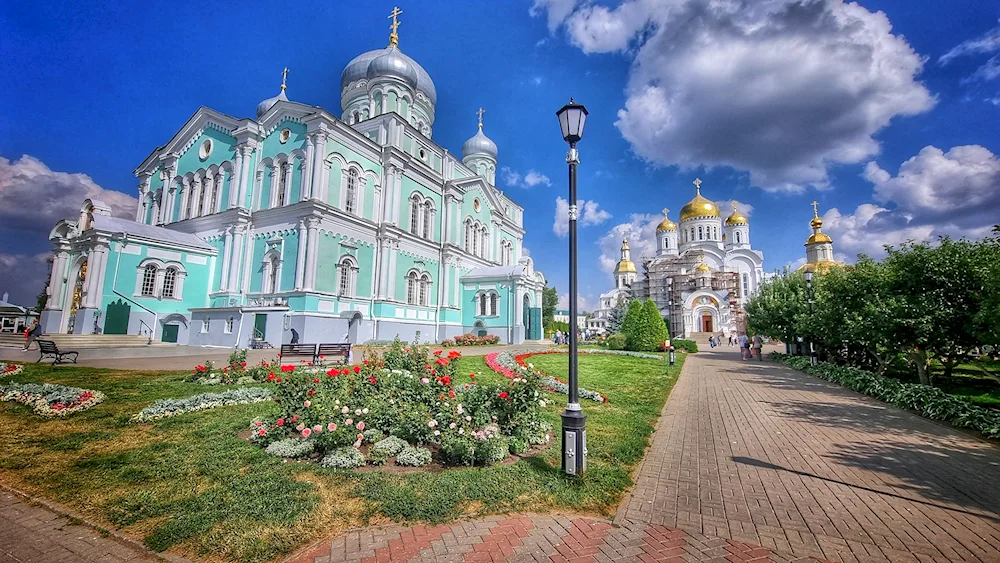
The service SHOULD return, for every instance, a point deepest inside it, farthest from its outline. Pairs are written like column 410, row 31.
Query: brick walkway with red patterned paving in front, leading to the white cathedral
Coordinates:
column 751, row 462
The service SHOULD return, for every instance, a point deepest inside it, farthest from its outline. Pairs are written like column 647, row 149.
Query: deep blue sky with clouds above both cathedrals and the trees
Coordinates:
column 774, row 107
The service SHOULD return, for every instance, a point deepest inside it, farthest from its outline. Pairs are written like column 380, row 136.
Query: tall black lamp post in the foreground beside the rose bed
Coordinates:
column 572, row 118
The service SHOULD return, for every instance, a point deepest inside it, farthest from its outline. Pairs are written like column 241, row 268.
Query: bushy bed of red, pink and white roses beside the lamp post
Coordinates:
column 410, row 395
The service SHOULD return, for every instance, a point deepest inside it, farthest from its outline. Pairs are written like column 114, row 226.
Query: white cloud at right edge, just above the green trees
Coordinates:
column 954, row 193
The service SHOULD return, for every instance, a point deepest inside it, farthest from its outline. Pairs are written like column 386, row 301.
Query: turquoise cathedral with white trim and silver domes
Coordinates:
column 300, row 223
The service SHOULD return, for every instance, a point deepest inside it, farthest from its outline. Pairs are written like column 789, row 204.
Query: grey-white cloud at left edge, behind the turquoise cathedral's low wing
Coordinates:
column 33, row 197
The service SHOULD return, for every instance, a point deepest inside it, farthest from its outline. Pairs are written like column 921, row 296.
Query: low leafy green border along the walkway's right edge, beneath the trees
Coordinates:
column 930, row 402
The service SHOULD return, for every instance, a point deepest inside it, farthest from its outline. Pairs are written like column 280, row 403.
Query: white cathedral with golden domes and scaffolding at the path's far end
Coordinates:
column 702, row 273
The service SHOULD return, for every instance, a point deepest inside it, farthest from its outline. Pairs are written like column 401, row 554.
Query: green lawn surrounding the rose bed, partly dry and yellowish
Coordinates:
column 187, row 484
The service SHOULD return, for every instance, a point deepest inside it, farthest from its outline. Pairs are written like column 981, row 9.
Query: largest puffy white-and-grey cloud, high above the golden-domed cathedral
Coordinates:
column 783, row 88
